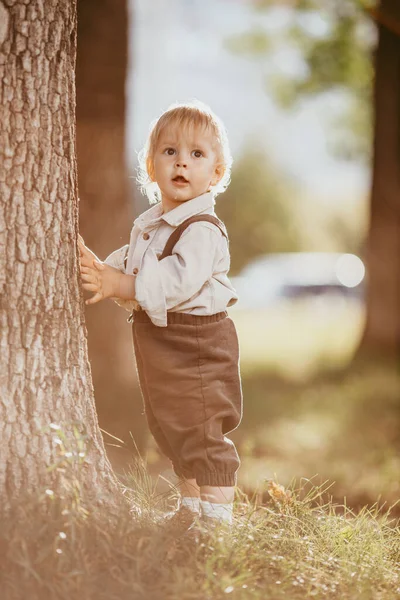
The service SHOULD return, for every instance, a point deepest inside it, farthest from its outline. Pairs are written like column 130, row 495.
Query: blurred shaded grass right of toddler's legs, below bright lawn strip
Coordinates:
column 342, row 426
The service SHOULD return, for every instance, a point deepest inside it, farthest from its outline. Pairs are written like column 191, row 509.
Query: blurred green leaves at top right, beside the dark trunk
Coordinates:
column 334, row 40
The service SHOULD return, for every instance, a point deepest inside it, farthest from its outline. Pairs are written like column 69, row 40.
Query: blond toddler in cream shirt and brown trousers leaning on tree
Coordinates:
column 172, row 277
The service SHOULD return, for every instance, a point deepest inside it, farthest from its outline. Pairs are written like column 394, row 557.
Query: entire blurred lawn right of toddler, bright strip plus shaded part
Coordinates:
column 306, row 412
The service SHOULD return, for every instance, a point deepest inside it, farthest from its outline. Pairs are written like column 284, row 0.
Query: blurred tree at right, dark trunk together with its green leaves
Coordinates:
column 340, row 57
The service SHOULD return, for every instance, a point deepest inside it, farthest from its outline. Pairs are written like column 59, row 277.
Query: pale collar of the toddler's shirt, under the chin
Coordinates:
column 177, row 215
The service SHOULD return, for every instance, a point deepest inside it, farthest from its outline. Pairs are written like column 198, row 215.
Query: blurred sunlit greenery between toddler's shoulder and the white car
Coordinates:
column 266, row 212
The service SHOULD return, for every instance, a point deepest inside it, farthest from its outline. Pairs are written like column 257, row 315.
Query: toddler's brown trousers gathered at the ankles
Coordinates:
column 190, row 382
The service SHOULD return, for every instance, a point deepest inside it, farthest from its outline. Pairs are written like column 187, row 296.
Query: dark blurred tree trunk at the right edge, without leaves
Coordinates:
column 382, row 331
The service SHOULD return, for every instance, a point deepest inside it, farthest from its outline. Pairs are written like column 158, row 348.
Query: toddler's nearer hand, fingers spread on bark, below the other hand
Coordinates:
column 101, row 279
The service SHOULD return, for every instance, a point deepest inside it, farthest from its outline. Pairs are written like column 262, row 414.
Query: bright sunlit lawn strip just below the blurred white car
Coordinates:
column 297, row 339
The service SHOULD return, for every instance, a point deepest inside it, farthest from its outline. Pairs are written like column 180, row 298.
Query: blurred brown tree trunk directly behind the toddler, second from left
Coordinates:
column 106, row 214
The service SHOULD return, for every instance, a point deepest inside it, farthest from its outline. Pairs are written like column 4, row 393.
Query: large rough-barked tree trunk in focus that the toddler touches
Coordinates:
column 45, row 373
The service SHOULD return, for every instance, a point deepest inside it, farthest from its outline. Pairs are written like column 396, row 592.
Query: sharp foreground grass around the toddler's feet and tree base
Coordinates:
column 290, row 546
